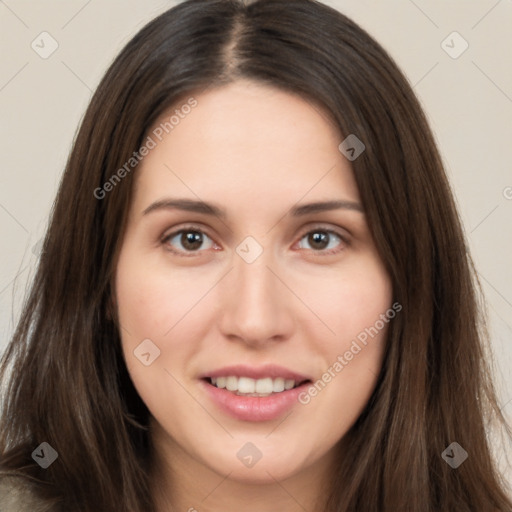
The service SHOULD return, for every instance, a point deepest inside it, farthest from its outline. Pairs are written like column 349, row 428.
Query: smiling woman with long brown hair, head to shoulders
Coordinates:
column 254, row 291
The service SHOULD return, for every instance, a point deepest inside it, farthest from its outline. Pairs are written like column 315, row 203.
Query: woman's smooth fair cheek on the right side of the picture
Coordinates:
column 358, row 309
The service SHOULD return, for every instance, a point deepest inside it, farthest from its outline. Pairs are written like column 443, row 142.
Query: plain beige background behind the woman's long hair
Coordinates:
column 467, row 99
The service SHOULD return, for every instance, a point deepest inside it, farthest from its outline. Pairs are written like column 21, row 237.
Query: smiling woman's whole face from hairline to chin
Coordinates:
column 260, row 292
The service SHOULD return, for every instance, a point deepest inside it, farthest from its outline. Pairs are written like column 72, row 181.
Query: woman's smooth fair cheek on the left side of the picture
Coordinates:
column 158, row 303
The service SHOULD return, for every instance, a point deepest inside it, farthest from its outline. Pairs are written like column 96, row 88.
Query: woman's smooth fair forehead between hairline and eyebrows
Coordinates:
column 245, row 142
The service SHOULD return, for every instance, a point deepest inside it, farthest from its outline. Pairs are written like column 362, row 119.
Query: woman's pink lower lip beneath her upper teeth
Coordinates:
column 254, row 408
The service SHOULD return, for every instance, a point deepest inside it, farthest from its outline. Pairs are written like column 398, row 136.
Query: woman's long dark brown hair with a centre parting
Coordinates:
column 65, row 377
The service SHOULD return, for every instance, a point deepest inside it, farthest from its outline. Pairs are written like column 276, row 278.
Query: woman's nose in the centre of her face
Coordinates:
column 256, row 305
